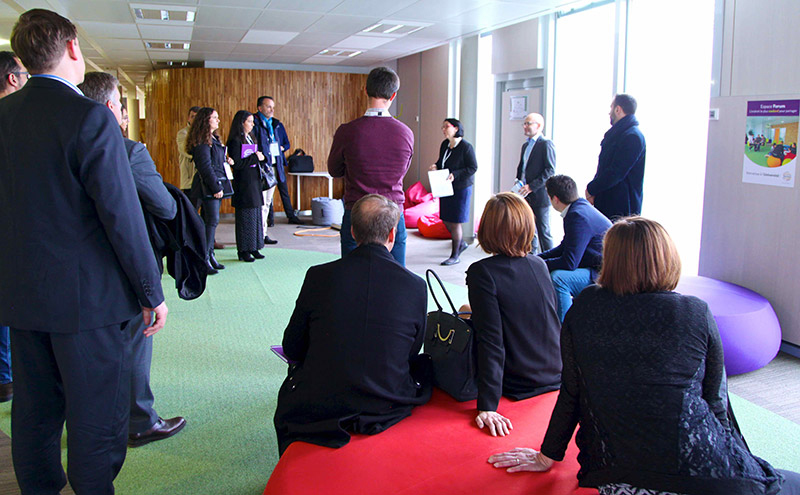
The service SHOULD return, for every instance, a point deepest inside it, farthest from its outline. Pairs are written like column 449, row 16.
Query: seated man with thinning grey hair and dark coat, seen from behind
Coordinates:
column 355, row 337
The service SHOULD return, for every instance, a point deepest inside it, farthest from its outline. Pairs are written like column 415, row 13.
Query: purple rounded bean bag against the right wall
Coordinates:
column 750, row 331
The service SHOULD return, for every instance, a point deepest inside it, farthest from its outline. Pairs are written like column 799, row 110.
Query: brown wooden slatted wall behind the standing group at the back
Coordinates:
column 310, row 104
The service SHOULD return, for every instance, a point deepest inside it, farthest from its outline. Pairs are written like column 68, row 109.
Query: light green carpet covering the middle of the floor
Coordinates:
column 212, row 364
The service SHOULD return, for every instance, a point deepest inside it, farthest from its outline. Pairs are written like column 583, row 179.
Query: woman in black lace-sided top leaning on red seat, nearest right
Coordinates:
column 643, row 376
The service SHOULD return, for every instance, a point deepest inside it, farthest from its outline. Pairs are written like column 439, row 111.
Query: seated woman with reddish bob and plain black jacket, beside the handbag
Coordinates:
column 513, row 306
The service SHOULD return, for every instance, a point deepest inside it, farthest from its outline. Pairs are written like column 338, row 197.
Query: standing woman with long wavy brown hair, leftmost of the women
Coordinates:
column 208, row 155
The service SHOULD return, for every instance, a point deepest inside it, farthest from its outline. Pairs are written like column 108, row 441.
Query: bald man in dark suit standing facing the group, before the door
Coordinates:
column 537, row 162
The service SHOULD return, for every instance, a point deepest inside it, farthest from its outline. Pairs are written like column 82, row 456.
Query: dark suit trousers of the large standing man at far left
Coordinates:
column 84, row 379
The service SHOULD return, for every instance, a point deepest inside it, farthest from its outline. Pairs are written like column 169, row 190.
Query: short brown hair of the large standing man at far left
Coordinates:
column 39, row 39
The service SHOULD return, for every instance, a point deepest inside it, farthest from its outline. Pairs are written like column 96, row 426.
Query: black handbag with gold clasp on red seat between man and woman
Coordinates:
column 449, row 339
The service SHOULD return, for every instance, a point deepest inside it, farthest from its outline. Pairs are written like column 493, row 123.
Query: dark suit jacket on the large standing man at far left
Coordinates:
column 75, row 253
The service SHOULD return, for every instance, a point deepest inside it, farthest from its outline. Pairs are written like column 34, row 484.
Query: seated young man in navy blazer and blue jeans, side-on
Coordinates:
column 575, row 263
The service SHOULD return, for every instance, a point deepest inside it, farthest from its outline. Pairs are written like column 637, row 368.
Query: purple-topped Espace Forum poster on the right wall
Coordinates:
column 770, row 148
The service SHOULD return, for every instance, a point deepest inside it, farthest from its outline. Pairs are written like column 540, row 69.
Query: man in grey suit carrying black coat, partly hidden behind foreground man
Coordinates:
column 145, row 425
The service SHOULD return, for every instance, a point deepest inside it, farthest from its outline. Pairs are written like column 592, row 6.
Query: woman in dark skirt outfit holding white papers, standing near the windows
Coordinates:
column 458, row 156
